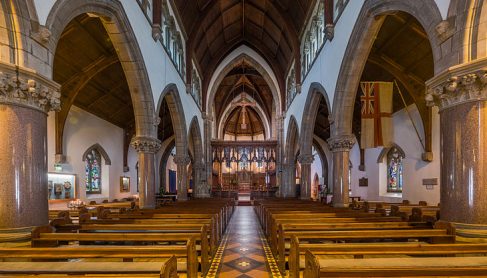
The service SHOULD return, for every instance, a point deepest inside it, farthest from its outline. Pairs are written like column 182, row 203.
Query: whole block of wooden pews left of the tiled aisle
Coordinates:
column 124, row 241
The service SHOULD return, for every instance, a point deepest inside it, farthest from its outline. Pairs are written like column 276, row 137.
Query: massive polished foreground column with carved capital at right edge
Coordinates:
column 461, row 95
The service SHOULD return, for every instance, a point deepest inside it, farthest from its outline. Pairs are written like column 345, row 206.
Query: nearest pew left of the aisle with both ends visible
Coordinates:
column 41, row 237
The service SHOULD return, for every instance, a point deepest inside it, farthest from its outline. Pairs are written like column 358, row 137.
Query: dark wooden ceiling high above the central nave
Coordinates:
column 270, row 27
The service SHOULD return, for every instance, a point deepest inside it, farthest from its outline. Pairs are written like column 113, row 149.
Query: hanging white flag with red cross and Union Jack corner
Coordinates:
column 376, row 101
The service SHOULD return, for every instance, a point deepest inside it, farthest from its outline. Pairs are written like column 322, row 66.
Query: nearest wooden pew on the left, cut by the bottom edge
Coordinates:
column 164, row 269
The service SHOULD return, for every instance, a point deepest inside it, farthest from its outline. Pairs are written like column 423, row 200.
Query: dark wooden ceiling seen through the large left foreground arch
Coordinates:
column 89, row 71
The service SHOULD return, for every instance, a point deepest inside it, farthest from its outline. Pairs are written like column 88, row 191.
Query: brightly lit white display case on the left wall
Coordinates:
column 61, row 186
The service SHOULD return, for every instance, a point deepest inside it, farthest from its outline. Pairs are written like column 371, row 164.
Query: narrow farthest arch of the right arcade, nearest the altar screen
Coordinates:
column 289, row 166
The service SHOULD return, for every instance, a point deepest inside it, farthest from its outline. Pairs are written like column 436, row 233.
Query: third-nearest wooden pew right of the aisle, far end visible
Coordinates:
column 426, row 235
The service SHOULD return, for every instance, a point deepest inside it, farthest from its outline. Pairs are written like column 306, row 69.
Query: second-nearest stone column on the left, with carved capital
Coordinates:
column 146, row 148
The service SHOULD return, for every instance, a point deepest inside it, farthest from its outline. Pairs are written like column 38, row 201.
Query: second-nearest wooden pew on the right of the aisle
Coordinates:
column 359, row 250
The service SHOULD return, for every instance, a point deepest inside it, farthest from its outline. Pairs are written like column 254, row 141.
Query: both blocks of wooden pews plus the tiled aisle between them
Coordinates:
column 271, row 238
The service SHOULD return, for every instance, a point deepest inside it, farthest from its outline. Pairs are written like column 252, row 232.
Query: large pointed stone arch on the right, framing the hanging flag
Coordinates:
column 366, row 28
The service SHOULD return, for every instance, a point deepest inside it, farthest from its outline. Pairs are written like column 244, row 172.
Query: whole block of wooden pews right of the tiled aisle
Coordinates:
column 315, row 240
